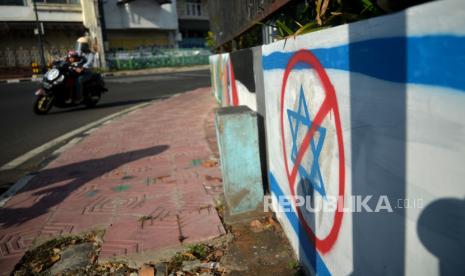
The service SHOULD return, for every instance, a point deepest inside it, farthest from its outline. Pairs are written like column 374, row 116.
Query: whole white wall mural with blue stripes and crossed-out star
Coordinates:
column 359, row 112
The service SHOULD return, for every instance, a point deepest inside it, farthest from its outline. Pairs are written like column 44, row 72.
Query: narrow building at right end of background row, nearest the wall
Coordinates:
column 194, row 23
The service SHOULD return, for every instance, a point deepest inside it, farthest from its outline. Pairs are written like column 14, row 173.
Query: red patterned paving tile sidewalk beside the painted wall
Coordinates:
column 153, row 164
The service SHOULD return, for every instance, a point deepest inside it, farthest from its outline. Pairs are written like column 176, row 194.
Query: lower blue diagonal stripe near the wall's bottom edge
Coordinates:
column 310, row 252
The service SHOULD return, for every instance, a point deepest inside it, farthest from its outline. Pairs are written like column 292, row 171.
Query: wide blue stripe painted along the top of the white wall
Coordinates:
column 432, row 60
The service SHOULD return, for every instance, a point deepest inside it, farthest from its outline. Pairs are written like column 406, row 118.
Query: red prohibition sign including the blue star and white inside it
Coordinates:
column 307, row 143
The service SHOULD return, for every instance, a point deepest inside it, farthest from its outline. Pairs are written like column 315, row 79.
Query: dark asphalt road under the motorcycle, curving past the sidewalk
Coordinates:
column 22, row 130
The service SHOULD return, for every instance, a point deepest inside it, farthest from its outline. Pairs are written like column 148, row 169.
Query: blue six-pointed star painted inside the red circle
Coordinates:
column 302, row 117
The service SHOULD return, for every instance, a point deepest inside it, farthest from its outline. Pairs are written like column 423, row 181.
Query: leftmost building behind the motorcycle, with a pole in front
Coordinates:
column 62, row 23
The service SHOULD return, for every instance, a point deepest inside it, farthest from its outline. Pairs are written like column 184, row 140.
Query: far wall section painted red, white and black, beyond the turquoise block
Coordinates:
column 233, row 78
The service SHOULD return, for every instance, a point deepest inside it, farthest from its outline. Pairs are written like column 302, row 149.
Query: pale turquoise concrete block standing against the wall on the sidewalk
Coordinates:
column 240, row 158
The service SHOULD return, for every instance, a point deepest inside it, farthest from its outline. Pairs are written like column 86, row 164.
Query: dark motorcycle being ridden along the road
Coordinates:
column 57, row 86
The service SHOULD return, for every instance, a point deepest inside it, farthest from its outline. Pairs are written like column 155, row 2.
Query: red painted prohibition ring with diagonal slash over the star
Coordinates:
column 329, row 103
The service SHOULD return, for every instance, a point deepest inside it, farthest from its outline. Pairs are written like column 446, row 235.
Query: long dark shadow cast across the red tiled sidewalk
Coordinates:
column 47, row 191
